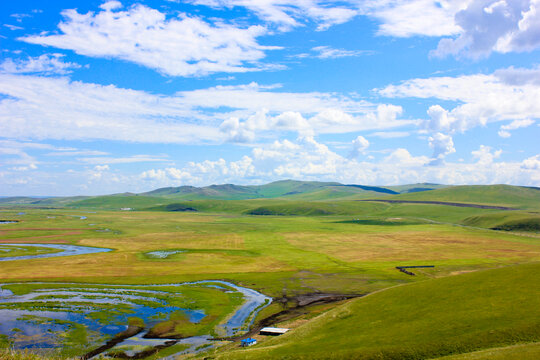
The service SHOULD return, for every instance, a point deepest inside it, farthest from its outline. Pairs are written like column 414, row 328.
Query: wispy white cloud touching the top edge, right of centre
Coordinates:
column 287, row 14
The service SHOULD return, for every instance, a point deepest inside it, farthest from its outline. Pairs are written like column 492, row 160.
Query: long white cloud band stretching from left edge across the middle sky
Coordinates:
column 37, row 107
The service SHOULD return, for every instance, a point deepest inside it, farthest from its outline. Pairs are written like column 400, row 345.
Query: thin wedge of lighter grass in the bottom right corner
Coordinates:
column 527, row 351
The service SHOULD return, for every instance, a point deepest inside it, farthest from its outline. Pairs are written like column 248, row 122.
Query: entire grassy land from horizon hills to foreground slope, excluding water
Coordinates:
column 294, row 238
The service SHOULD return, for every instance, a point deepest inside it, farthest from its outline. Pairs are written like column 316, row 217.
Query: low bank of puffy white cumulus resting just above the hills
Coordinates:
column 307, row 159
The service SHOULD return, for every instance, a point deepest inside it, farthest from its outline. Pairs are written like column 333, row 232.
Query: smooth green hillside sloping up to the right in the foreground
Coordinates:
column 427, row 319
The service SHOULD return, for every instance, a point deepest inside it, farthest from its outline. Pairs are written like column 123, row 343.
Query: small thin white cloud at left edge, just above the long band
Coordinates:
column 44, row 64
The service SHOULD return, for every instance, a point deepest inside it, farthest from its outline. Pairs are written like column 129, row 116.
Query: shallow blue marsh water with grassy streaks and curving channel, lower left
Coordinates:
column 104, row 311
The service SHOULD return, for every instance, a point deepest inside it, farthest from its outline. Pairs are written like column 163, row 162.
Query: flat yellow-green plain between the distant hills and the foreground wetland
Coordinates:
column 275, row 254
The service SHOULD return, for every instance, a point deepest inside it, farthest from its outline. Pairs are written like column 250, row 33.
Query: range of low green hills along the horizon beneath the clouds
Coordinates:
column 302, row 192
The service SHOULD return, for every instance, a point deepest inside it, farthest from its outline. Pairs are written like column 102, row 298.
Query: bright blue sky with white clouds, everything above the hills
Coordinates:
column 101, row 97
